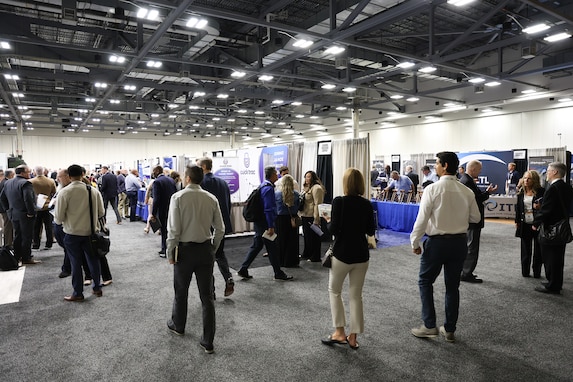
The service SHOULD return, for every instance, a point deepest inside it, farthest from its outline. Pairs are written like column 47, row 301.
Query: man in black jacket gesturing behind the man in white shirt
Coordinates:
column 474, row 231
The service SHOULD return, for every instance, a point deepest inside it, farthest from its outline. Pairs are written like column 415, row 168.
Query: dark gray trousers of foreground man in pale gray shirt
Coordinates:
column 199, row 259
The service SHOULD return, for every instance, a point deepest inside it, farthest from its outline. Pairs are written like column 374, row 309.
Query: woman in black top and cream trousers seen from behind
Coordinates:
column 352, row 218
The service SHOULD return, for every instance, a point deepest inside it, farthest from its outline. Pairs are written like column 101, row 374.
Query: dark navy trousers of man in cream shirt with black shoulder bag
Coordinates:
column 78, row 248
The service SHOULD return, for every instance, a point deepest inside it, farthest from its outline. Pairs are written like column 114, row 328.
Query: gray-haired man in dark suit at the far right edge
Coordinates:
column 554, row 207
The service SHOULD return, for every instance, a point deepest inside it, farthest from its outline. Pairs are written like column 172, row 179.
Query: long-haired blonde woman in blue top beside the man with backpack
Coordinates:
column 285, row 226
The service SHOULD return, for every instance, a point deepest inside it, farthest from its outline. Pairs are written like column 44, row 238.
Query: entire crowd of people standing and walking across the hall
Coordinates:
column 193, row 215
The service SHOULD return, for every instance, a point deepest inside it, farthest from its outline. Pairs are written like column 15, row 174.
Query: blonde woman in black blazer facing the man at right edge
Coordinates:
column 528, row 203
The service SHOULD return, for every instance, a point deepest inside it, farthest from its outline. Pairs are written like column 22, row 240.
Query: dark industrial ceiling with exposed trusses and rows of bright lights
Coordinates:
column 240, row 70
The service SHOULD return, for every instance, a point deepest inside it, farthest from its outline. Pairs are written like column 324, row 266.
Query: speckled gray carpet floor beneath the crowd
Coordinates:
column 271, row 331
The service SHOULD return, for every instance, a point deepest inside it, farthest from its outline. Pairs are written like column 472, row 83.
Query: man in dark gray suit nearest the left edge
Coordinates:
column 19, row 201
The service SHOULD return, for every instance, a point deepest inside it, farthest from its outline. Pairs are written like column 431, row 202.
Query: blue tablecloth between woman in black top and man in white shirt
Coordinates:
column 398, row 217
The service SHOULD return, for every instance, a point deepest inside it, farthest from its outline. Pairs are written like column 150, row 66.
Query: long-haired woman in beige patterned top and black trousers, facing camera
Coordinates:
column 313, row 192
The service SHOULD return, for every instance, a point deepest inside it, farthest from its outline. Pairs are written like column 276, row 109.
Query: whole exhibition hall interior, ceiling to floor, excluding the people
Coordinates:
column 314, row 86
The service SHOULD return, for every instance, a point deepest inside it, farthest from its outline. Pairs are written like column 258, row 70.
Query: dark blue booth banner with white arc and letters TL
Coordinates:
column 494, row 167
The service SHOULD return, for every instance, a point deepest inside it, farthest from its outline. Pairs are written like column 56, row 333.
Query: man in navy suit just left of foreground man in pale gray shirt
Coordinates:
column 163, row 189
